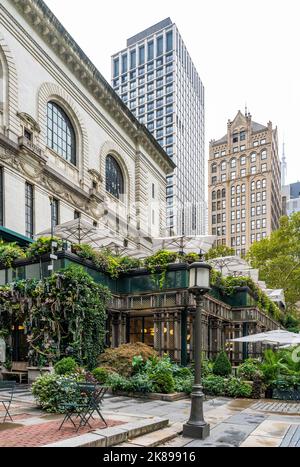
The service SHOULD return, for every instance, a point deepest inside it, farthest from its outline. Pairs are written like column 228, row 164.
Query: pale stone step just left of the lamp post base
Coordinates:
column 156, row 438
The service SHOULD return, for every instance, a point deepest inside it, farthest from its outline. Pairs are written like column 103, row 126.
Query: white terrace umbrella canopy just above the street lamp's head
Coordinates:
column 186, row 244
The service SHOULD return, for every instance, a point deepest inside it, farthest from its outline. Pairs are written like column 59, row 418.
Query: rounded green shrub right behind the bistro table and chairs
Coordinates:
column 53, row 391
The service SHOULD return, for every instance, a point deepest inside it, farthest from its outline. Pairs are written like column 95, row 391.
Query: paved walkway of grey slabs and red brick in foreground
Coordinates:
column 234, row 423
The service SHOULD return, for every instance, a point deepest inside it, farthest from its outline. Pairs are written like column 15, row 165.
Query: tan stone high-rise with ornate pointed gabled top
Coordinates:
column 244, row 184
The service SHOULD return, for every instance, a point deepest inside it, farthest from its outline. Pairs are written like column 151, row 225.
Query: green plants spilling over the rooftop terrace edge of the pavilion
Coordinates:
column 116, row 266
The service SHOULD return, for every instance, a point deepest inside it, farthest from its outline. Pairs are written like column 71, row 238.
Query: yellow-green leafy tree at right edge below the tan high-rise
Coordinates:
column 278, row 259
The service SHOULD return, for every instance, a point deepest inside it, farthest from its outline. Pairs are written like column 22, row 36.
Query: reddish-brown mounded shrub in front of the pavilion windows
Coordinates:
column 120, row 359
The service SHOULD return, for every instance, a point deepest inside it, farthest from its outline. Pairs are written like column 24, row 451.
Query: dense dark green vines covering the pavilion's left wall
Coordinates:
column 65, row 310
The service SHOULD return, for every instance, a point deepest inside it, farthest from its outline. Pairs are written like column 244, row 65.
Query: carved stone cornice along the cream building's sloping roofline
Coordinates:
column 42, row 20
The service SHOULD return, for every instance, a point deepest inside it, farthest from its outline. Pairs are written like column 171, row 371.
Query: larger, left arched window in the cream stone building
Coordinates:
column 60, row 133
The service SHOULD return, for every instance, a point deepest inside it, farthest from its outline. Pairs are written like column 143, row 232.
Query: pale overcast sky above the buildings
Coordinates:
column 246, row 52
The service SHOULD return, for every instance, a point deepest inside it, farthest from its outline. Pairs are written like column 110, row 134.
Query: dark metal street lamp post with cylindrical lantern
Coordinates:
column 199, row 285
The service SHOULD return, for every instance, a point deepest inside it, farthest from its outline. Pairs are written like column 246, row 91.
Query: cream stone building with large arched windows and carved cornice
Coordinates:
column 65, row 134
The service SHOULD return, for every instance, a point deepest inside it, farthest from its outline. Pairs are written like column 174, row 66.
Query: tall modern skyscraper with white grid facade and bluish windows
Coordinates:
column 157, row 79
